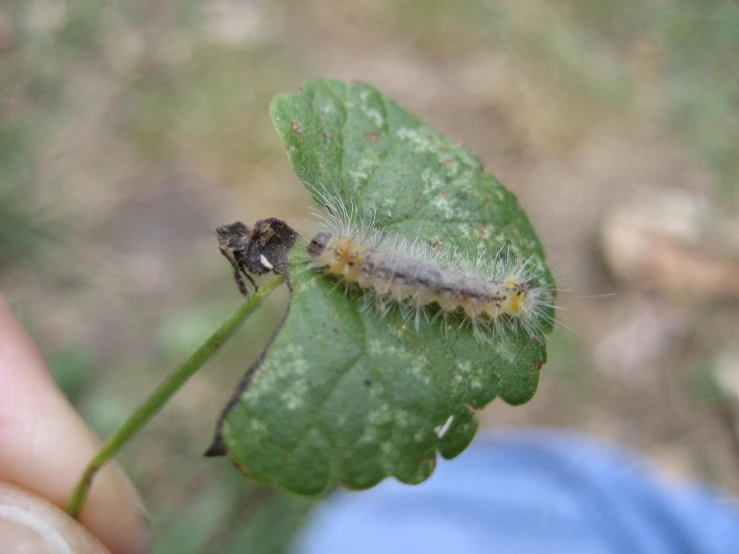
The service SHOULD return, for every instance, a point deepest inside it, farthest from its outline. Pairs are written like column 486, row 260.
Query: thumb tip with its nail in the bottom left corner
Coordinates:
column 28, row 523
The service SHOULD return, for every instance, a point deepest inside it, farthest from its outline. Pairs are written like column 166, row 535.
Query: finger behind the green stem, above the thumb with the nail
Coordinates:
column 45, row 445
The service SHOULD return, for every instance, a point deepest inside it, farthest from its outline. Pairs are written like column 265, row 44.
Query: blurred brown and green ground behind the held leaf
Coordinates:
column 131, row 130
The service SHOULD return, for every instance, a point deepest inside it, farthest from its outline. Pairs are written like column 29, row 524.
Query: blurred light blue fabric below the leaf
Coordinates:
column 528, row 492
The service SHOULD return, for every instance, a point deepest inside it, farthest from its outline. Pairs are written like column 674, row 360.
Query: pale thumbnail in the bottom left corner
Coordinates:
column 22, row 531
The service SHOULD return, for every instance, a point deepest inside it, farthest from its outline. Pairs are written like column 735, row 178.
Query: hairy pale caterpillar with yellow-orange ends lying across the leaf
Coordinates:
column 493, row 292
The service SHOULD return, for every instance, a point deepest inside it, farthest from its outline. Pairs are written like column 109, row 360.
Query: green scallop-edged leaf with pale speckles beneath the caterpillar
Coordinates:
column 343, row 394
